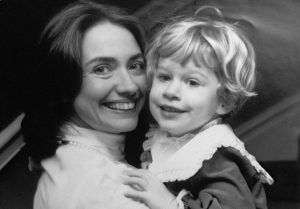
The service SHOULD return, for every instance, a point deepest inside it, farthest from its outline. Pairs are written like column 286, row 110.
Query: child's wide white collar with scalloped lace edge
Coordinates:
column 187, row 160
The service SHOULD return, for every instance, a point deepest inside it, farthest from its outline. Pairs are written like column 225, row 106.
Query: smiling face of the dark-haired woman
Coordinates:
column 114, row 80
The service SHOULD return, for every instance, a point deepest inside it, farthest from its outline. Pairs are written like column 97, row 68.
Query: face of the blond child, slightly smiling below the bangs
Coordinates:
column 183, row 97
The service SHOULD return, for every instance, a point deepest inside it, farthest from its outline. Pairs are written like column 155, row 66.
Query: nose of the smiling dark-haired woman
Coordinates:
column 126, row 84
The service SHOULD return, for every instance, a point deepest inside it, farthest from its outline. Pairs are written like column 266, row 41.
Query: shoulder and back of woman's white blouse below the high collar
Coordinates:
column 97, row 184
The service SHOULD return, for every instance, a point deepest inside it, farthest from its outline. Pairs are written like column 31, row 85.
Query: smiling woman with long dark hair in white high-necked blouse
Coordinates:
column 92, row 88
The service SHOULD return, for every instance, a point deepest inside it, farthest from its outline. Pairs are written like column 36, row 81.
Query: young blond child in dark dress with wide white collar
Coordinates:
column 201, row 71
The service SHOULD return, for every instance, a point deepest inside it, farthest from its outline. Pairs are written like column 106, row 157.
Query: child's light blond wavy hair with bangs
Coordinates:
column 213, row 43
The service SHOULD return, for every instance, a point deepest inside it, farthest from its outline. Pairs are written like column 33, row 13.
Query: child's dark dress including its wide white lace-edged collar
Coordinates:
column 213, row 166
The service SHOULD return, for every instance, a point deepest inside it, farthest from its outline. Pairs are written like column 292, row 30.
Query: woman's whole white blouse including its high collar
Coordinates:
column 86, row 173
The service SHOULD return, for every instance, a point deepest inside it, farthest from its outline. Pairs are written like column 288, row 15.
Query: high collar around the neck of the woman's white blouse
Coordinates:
column 110, row 145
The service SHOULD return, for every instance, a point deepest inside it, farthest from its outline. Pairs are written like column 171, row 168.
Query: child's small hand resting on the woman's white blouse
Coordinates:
column 145, row 187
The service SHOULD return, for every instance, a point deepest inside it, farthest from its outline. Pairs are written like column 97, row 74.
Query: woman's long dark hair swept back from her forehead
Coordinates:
column 58, row 74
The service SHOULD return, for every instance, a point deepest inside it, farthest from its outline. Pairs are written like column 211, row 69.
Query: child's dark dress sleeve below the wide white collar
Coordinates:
column 225, row 182
